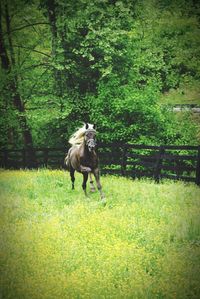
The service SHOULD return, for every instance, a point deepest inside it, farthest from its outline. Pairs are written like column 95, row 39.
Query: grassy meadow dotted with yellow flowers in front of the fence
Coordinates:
column 55, row 243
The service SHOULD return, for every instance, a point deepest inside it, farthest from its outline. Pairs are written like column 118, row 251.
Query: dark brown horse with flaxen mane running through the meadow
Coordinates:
column 82, row 157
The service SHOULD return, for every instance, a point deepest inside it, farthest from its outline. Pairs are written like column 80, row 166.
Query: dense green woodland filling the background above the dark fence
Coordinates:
column 103, row 61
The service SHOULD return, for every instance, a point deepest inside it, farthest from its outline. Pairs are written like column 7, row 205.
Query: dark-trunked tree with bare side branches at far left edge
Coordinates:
column 13, row 100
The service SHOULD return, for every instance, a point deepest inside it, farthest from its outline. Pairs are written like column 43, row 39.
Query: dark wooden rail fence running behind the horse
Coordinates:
column 136, row 161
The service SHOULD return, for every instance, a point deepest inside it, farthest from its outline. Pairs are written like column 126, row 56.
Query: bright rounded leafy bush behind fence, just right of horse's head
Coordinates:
column 126, row 113
